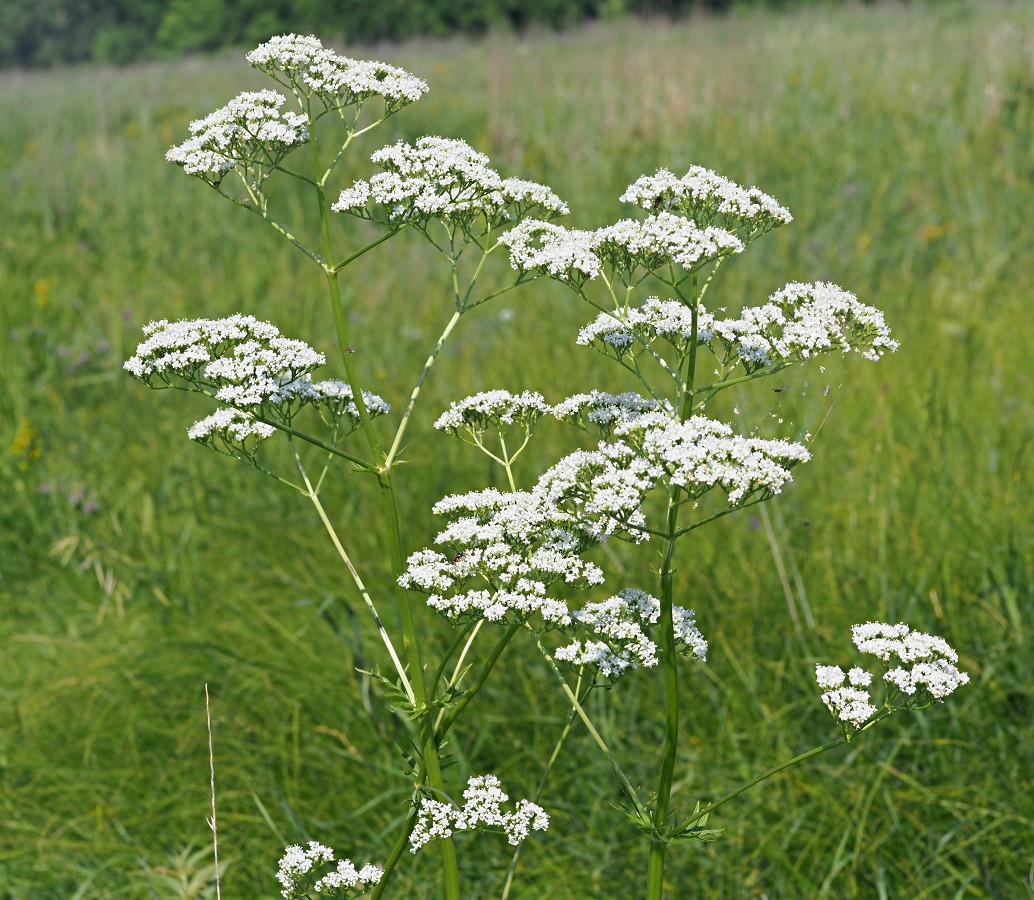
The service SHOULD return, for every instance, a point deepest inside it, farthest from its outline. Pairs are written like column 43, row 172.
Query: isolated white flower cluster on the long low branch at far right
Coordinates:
column 928, row 672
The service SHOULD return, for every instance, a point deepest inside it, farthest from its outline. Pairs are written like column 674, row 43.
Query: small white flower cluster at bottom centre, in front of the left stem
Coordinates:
column 482, row 808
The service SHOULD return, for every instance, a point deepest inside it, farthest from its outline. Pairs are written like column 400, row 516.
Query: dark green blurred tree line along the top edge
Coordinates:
column 40, row 34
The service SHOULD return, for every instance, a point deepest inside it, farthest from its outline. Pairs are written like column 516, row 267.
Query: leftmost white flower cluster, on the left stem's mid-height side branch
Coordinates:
column 248, row 365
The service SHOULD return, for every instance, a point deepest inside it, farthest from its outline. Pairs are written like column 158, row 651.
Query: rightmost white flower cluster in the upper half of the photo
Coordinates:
column 803, row 320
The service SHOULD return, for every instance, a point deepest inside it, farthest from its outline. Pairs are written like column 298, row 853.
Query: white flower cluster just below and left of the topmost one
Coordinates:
column 249, row 132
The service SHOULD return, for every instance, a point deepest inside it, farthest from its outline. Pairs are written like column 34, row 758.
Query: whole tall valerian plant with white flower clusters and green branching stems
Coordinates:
column 508, row 563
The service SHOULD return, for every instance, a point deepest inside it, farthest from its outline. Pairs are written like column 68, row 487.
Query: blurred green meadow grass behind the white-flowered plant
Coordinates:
column 135, row 567
